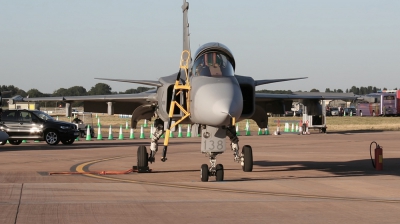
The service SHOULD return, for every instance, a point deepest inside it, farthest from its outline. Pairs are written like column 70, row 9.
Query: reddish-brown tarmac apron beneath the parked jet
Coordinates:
column 317, row 178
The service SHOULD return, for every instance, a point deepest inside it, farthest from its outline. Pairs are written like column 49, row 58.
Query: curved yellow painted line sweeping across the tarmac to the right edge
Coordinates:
column 83, row 167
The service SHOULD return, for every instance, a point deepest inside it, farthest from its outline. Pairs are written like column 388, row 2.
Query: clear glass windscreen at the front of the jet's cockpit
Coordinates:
column 212, row 64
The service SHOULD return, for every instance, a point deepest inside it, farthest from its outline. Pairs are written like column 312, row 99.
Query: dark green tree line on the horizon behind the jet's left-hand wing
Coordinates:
column 98, row 89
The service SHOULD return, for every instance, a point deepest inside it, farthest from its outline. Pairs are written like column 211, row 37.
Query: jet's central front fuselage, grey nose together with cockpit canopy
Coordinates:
column 215, row 96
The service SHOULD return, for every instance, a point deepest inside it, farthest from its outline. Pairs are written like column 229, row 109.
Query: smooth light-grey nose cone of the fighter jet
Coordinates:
column 215, row 100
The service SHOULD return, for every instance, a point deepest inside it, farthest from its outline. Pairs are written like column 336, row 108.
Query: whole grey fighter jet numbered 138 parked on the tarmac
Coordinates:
column 205, row 93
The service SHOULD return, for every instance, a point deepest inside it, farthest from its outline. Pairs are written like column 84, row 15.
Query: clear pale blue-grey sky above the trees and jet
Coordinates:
column 47, row 45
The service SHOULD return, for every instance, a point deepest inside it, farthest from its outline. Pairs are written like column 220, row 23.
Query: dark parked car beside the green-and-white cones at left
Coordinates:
column 36, row 125
